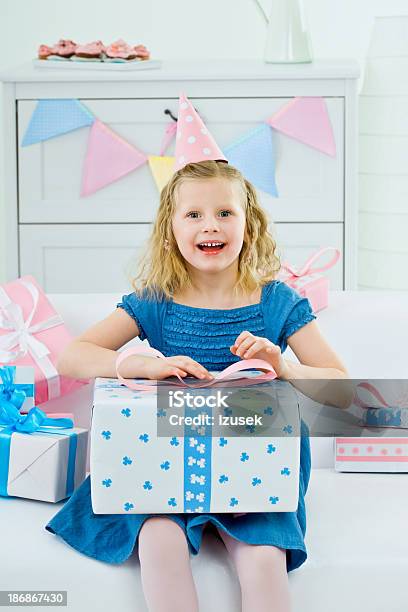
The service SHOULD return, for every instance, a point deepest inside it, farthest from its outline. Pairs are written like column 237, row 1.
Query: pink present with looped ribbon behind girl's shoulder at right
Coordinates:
column 308, row 281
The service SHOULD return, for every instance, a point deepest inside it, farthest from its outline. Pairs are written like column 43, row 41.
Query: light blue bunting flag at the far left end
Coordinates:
column 54, row 117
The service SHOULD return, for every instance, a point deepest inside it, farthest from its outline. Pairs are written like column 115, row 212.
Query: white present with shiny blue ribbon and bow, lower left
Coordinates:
column 41, row 458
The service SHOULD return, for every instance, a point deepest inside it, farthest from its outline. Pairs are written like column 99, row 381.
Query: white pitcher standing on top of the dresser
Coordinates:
column 287, row 40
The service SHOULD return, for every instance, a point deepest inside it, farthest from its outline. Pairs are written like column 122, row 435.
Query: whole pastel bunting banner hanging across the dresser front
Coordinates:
column 109, row 157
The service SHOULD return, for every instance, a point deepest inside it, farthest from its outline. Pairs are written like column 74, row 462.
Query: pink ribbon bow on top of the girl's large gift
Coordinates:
column 245, row 364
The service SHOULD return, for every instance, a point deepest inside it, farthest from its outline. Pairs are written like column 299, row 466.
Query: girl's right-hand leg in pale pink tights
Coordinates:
column 262, row 575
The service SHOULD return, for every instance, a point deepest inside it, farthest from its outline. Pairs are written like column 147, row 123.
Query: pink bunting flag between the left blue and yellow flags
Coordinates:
column 108, row 158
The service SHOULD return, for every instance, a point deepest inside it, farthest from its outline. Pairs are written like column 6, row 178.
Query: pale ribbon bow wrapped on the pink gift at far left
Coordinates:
column 22, row 336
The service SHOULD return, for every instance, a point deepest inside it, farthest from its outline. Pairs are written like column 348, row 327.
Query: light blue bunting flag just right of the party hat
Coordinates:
column 253, row 154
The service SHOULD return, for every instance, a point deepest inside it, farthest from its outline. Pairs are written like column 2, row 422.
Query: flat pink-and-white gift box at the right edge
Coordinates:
column 371, row 454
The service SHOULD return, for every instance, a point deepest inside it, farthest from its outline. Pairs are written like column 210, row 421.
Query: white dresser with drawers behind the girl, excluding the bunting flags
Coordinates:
column 89, row 244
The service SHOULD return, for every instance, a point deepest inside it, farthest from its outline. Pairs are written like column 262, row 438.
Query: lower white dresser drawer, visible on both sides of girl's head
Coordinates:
column 101, row 258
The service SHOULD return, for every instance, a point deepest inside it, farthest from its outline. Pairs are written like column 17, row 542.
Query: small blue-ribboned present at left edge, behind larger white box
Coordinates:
column 17, row 386
